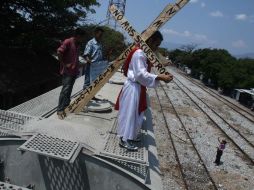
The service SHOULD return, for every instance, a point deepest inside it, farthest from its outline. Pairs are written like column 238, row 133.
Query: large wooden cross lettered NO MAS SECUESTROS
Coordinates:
column 86, row 95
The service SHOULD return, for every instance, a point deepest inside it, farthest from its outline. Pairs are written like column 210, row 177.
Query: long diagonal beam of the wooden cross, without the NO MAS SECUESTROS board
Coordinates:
column 78, row 103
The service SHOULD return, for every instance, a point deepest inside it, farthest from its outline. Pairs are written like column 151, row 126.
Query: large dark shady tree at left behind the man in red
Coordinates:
column 30, row 31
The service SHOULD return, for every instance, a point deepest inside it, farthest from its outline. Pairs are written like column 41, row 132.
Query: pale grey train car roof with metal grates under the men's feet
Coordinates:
column 95, row 131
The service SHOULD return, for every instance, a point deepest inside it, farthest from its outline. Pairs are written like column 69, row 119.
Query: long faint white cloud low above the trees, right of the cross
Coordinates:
column 196, row 38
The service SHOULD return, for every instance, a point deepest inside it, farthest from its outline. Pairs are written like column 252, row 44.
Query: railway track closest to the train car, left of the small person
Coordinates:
column 194, row 172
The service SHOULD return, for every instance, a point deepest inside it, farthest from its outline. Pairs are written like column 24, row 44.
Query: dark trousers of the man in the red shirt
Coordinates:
column 65, row 94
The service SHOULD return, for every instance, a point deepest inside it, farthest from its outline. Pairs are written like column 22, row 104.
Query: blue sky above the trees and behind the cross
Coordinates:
column 227, row 24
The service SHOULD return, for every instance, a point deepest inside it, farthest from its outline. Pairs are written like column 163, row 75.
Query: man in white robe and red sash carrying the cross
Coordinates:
column 131, row 102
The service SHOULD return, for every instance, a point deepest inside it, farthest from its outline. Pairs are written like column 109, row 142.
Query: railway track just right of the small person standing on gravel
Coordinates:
column 239, row 140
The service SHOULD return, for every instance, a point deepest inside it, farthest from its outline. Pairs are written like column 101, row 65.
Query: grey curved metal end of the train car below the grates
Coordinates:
column 86, row 173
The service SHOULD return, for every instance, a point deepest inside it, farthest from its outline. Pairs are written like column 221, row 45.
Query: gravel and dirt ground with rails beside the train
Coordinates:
column 236, row 171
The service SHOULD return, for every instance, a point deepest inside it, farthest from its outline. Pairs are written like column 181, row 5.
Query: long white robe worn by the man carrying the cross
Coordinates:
column 129, row 119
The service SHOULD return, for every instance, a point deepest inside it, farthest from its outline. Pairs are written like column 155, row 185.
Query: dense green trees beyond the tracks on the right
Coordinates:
column 223, row 69
